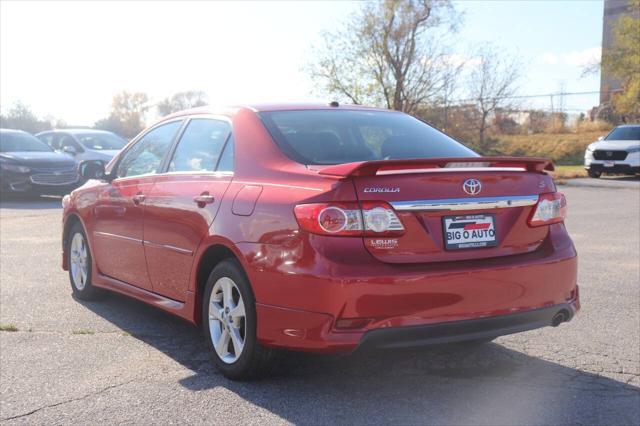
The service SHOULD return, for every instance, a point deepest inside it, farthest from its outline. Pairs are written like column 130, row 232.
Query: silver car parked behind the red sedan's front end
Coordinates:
column 84, row 144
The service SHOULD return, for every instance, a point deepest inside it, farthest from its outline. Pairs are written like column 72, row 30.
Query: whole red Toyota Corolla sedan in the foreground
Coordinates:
column 321, row 228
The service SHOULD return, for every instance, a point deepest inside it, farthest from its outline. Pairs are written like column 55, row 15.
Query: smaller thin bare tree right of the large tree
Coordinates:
column 492, row 85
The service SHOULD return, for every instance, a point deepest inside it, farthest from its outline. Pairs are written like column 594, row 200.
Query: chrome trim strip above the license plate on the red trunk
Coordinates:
column 452, row 204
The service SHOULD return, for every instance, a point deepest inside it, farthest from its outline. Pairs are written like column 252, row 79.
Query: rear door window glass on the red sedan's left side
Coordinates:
column 200, row 146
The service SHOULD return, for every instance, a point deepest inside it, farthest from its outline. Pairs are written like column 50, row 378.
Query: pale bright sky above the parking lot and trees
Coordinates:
column 67, row 59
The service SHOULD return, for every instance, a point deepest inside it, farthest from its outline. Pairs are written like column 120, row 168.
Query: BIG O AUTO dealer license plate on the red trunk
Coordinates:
column 474, row 231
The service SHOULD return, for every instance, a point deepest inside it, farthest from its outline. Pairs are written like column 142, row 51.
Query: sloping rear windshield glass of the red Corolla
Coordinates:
column 343, row 136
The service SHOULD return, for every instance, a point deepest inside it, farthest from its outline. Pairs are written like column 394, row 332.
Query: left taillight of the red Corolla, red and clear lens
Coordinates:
column 349, row 219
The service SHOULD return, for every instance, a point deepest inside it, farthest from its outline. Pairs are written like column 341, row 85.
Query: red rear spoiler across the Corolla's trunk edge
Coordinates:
column 372, row 168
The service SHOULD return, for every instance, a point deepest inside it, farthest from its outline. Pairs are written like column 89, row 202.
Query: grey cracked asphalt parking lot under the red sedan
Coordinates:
column 120, row 361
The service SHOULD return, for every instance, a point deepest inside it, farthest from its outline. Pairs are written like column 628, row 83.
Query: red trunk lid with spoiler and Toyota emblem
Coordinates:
column 430, row 199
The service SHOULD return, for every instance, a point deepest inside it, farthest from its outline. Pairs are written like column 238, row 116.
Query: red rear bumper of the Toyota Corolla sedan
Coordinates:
column 301, row 306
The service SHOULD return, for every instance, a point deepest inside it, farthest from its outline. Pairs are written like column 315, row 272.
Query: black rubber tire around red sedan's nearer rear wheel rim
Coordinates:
column 255, row 360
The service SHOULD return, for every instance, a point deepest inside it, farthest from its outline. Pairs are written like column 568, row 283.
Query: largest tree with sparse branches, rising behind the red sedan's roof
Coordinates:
column 391, row 54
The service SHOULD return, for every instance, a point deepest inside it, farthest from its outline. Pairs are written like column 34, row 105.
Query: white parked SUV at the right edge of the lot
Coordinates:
column 618, row 152
